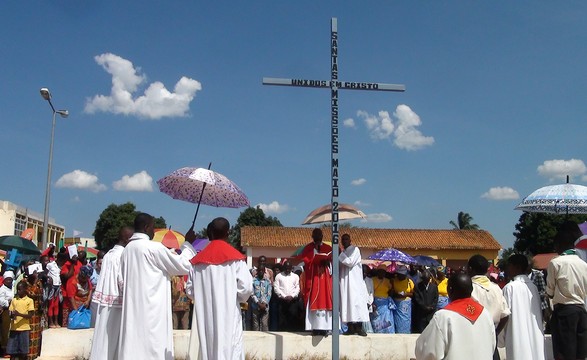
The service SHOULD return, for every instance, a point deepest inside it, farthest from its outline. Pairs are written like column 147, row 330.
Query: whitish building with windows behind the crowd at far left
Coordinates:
column 14, row 219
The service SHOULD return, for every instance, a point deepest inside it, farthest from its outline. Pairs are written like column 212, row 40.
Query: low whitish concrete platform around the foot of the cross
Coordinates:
column 62, row 344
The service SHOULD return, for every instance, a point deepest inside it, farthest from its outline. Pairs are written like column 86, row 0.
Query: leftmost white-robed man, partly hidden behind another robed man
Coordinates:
column 108, row 299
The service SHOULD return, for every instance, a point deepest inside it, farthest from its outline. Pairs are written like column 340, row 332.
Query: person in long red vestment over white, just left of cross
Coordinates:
column 317, row 292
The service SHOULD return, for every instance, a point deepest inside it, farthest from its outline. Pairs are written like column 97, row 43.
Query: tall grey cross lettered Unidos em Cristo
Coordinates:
column 334, row 84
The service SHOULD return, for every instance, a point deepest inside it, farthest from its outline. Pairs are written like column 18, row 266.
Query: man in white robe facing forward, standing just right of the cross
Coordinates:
column 353, row 307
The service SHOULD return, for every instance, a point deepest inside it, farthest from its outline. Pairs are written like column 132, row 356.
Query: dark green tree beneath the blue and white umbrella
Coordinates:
column 535, row 231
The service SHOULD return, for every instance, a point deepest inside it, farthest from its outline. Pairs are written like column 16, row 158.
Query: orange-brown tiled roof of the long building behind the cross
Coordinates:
column 273, row 236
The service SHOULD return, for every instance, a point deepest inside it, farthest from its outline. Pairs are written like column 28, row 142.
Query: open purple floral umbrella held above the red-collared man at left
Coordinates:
column 203, row 186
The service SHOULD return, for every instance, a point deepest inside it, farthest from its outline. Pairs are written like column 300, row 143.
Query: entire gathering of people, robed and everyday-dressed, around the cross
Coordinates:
column 140, row 291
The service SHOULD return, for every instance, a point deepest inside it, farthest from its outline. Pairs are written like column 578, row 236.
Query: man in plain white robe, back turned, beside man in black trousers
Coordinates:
column 524, row 334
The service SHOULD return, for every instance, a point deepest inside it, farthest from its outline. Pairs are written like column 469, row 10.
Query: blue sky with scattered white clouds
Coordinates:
column 494, row 108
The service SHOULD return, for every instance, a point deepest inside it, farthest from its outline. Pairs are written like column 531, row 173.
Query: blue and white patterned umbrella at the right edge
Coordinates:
column 557, row 199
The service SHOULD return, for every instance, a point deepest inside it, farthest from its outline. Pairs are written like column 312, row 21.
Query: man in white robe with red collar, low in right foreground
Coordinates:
column 462, row 330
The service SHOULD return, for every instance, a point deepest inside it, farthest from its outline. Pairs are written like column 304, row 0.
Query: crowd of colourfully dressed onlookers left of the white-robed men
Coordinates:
column 40, row 294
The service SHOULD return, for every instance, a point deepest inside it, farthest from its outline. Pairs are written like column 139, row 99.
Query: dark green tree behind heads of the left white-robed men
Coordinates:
column 112, row 219
